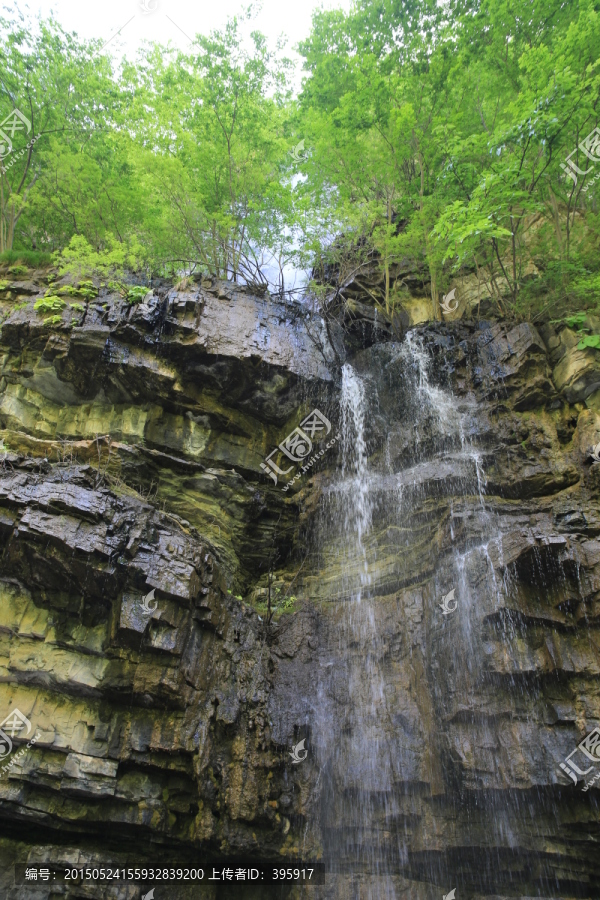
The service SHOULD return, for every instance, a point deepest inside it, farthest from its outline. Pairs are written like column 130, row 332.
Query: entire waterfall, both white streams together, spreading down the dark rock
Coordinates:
column 404, row 527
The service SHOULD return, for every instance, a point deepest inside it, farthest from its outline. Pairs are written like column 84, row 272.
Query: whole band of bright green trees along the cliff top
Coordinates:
column 462, row 136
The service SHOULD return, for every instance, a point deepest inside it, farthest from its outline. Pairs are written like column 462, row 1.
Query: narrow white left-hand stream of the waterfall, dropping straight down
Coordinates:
column 358, row 777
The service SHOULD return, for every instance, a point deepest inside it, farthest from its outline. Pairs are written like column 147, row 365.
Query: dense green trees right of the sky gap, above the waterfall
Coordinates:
column 440, row 138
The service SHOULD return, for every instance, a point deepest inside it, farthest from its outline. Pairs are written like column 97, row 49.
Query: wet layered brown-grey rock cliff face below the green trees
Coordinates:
column 137, row 534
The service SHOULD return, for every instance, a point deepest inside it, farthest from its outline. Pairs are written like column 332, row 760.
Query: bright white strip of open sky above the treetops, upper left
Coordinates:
column 173, row 21
